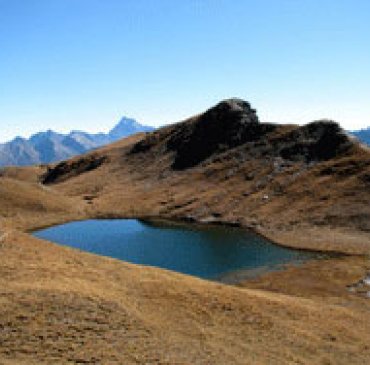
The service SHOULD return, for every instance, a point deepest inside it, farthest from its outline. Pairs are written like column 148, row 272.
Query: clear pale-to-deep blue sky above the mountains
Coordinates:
column 82, row 64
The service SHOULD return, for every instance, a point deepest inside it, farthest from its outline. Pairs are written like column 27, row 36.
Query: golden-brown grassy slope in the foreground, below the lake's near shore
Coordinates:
column 62, row 306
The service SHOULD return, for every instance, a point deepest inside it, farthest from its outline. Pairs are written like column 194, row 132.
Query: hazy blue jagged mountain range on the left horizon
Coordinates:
column 50, row 146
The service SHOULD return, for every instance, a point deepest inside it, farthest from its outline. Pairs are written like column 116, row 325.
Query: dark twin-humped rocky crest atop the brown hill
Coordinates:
column 233, row 123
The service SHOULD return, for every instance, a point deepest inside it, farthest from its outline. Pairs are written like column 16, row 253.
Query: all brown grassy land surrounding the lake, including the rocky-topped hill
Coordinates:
column 59, row 305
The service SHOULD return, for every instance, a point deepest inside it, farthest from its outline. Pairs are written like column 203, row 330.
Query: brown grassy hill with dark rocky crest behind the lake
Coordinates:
column 301, row 186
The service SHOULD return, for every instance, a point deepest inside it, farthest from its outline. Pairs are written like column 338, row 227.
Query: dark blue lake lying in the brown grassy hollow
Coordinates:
column 204, row 251
